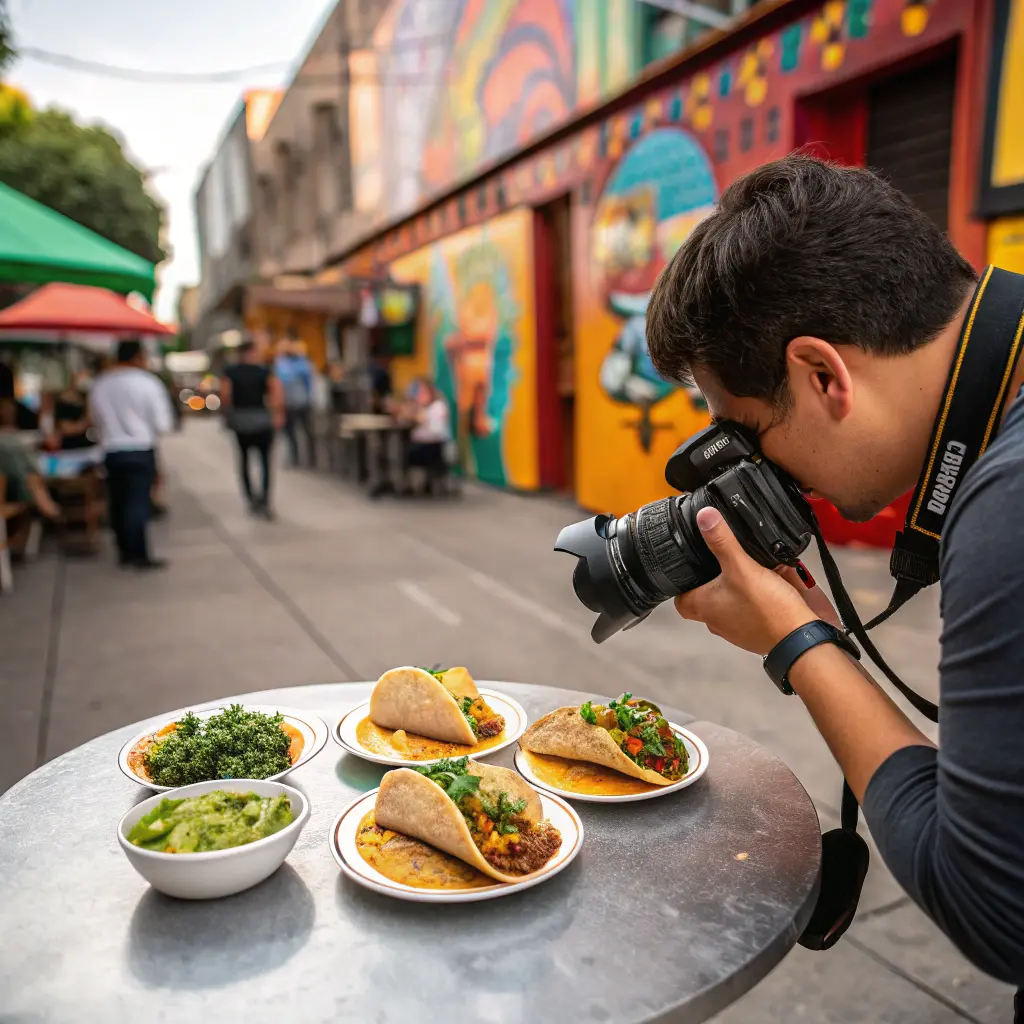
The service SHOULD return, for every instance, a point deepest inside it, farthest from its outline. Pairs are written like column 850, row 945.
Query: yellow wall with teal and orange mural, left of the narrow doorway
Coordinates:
column 477, row 336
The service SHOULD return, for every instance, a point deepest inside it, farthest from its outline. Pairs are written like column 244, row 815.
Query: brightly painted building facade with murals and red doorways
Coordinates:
column 537, row 268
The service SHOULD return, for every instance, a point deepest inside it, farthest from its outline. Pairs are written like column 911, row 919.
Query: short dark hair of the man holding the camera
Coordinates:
column 802, row 247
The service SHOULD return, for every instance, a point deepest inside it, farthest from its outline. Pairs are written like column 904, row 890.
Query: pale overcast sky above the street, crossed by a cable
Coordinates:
column 172, row 130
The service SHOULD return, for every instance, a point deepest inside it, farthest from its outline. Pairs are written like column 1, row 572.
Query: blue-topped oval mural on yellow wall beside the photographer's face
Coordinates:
column 651, row 202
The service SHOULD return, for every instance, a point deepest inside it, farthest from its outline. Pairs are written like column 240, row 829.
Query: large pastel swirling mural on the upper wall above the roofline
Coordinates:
column 452, row 84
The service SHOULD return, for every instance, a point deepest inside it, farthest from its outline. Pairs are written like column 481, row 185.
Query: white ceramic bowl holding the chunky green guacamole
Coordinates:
column 220, row 873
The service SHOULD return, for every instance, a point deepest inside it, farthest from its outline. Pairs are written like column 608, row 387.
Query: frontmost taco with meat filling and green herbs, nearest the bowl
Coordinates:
column 486, row 816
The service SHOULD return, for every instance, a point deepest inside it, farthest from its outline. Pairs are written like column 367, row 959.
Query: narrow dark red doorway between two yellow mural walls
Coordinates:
column 557, row 345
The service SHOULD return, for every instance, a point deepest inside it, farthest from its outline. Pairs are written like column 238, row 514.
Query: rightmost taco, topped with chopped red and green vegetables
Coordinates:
column 628, row 735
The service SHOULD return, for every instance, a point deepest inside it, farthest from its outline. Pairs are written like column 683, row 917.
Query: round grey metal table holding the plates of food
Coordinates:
column 673, row 910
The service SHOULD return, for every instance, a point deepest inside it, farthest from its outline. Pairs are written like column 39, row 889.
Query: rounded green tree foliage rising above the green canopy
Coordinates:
column 82, row 173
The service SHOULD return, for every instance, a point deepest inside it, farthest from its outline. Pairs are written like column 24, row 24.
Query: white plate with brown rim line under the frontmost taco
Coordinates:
column 343, row 840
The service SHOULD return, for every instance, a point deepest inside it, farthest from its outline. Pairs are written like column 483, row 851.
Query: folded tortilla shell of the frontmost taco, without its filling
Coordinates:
column 411, row 804
